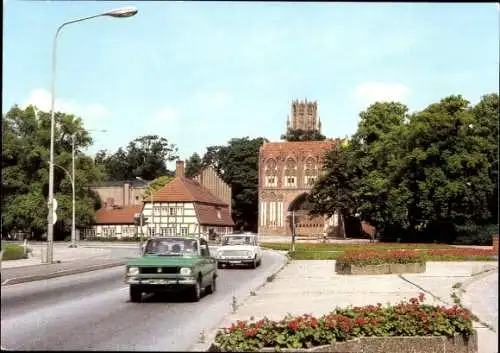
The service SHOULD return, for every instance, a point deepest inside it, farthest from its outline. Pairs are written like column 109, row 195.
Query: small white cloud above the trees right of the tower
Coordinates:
column 371, row 92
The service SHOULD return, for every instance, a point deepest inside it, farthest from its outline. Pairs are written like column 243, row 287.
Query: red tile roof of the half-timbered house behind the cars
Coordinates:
column 182, row 189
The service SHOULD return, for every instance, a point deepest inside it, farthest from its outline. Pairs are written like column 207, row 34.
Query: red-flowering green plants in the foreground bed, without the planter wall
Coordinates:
column 412, row 318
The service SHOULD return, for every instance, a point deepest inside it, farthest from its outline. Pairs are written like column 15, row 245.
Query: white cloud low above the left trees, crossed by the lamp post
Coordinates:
column 41, row 98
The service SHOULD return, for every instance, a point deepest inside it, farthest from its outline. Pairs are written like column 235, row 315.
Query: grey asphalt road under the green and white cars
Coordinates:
column 92, row 311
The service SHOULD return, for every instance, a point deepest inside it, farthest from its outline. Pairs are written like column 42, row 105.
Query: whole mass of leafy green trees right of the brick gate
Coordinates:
column 431, row 173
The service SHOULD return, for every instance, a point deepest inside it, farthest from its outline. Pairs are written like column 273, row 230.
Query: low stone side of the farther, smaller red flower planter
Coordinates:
column 343, row 268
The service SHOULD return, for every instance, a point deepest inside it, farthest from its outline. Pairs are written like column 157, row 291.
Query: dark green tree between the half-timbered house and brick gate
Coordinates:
column 237, row 164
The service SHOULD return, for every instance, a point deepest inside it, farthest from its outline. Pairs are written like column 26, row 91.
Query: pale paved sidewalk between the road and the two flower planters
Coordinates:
column 313, row 287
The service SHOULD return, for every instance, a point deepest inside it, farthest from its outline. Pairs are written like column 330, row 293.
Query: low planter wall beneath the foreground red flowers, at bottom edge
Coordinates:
column 418, row 344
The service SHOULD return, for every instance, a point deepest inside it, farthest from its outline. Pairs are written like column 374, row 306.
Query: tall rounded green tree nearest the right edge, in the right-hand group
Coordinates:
column 447, row 168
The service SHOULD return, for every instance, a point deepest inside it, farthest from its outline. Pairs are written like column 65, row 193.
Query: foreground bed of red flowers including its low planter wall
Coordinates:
column 349, row 329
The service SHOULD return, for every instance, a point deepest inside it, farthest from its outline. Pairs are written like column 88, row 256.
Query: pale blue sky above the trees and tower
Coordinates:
column 200, row 73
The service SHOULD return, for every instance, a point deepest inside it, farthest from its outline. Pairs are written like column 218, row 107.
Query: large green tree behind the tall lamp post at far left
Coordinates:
column 25, row 157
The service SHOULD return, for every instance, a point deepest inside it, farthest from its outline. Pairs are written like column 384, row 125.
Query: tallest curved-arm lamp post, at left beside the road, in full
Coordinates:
column 118, row 13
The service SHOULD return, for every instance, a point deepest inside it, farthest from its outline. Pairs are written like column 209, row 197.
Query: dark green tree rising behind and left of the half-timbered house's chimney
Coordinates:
column 146, row 157
